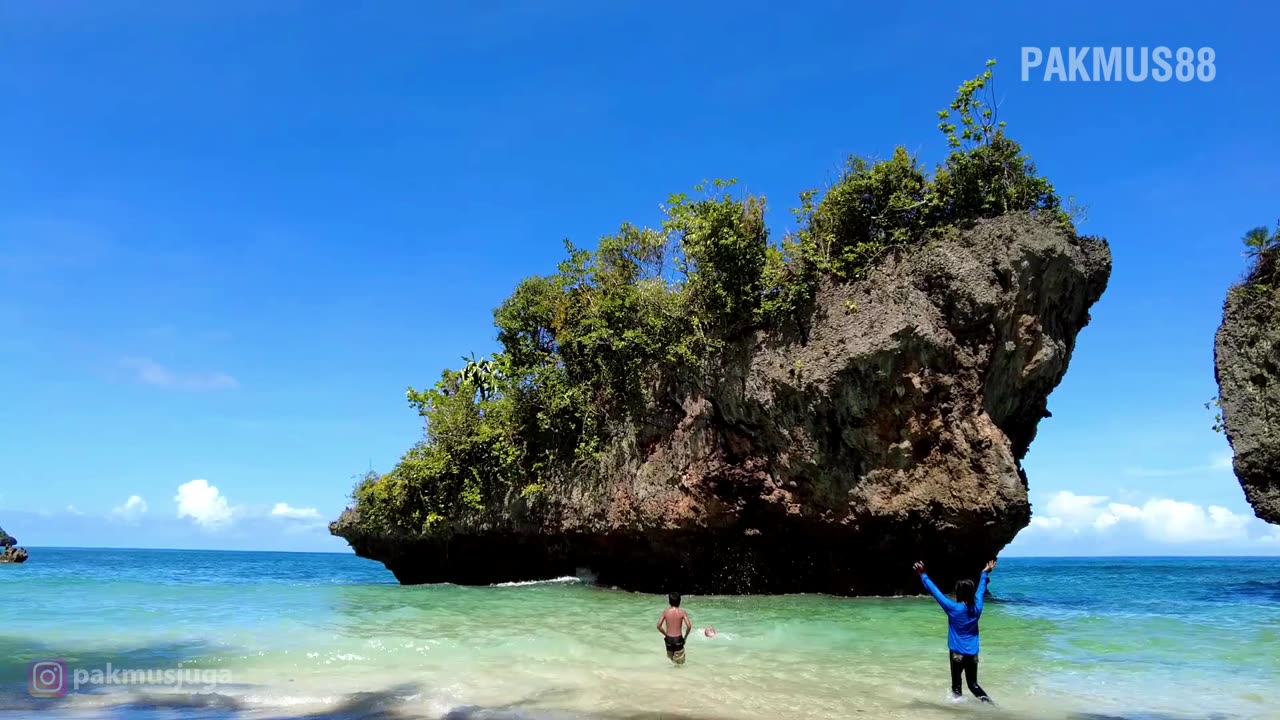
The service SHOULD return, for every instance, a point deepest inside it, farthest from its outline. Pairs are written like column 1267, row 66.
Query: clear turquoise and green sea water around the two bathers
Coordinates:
column 330, row 637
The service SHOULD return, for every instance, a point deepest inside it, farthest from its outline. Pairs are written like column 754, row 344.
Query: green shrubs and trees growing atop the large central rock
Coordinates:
column 648, row 316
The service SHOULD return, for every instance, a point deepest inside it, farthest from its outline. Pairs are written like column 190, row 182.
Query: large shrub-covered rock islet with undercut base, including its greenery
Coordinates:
column 705, row 408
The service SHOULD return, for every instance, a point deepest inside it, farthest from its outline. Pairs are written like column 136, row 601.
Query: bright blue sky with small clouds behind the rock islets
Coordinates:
column 232, row 234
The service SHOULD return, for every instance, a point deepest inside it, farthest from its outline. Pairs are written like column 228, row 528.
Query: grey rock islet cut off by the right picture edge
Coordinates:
column 1247, row 364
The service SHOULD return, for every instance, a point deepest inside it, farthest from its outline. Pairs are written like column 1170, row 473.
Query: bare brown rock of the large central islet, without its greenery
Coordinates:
column 893, row 432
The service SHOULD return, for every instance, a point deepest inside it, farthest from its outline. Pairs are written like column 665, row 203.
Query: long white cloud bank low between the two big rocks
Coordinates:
column 1159, row 520
